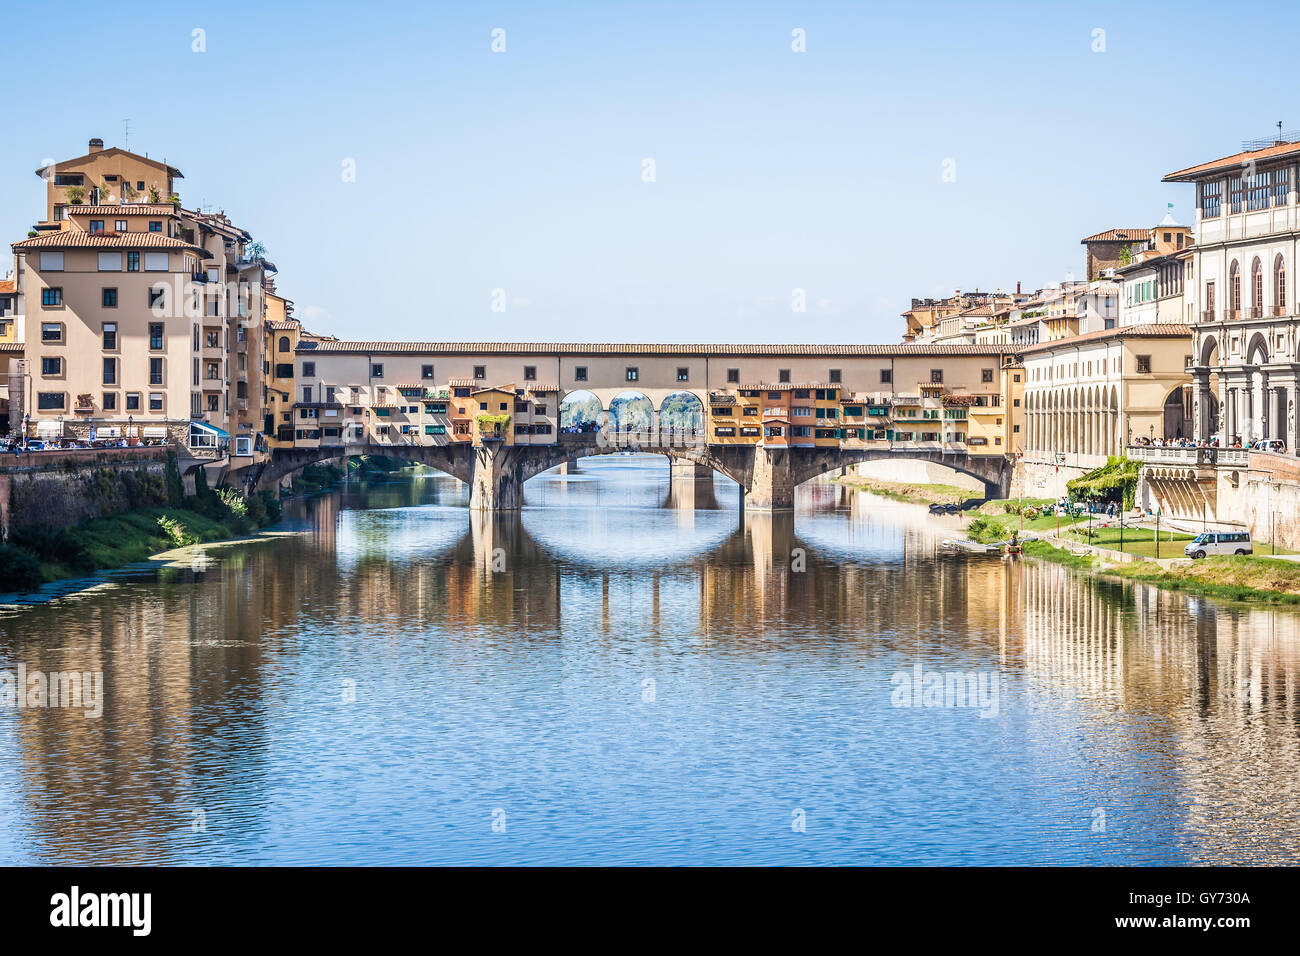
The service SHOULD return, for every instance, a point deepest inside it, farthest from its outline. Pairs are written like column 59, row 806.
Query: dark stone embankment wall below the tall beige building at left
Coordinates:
column 70, row 488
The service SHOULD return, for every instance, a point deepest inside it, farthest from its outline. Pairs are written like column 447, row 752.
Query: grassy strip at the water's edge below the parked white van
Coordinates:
column 1263, row 581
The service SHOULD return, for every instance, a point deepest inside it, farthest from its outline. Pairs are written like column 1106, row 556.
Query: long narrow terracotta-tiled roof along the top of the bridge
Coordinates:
column 647, row 349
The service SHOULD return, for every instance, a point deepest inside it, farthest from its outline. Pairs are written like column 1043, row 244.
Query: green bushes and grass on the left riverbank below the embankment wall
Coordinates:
column 38, row 553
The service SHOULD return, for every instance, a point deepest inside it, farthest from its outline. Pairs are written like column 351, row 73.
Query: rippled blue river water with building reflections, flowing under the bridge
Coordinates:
column 630, row 672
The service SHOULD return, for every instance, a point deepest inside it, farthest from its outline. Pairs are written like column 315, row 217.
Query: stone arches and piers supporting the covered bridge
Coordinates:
column 496, row 471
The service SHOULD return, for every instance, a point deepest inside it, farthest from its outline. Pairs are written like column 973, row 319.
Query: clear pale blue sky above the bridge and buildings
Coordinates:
column 774, row 171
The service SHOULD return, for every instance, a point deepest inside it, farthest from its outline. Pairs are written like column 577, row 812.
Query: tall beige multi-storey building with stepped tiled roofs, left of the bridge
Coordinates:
column 149, row 317
